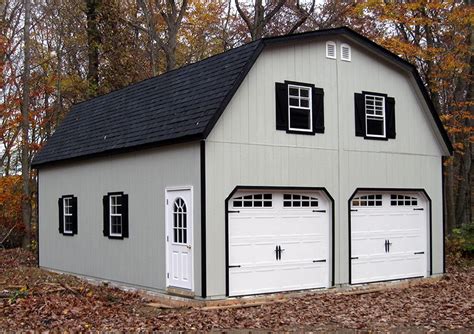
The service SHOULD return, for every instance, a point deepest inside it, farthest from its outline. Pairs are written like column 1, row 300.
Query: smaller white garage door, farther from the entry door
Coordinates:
column 388, row 236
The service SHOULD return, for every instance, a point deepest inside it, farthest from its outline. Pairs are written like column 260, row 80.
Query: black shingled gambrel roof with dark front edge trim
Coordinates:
column 180, row 105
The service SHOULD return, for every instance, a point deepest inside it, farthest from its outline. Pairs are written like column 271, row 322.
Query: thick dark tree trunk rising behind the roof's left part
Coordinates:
column 93, row 43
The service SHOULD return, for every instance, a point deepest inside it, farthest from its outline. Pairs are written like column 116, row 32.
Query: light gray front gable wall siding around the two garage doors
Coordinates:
column 245, row 149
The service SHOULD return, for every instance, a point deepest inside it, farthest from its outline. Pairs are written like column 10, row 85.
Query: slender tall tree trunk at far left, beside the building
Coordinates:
column 25, row 126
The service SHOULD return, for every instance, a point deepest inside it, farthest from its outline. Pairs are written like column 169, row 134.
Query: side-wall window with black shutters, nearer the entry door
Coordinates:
column 116, row 215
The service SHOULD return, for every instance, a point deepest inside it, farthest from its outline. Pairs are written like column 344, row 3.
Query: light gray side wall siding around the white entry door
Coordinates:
column 140, row 259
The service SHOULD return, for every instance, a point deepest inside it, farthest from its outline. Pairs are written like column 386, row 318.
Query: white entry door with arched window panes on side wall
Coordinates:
column 179, row 238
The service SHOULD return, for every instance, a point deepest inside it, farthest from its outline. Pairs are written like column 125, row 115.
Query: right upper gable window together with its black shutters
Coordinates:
column 374, row 116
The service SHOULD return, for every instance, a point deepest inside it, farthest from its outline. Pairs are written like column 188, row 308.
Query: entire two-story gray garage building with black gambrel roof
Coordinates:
column 296, row 162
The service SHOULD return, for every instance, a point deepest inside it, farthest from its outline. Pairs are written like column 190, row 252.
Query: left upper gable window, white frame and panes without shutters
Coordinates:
column 300, row 108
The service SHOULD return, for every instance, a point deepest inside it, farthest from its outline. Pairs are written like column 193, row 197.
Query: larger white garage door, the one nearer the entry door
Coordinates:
column 278, row 241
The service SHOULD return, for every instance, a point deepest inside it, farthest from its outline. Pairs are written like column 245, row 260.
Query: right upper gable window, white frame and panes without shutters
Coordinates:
column 375, row 116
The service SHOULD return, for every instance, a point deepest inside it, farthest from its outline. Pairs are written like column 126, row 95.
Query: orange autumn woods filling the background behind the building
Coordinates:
column 84, row 48
